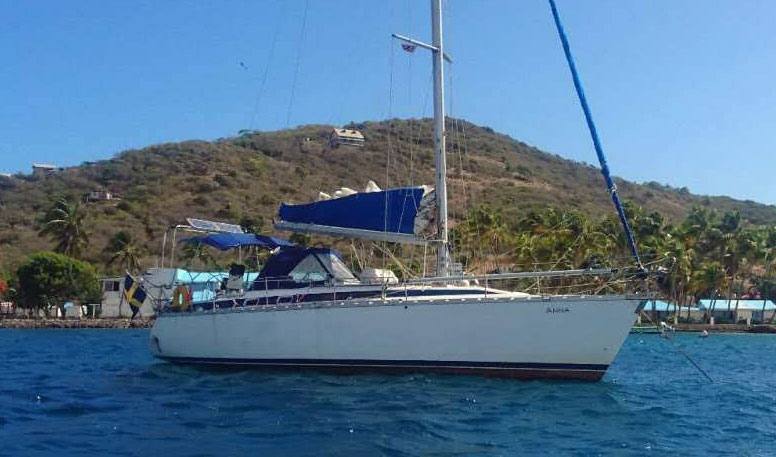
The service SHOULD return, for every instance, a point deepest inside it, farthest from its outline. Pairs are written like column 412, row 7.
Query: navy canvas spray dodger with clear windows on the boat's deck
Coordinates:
column 295, row 267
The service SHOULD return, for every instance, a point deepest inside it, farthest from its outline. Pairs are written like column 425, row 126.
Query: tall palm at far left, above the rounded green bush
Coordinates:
column 65, row 225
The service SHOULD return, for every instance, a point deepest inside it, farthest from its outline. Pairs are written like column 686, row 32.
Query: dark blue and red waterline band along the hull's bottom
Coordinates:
column 587, row 372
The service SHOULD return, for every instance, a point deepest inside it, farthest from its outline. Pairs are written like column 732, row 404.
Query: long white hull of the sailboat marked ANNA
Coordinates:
column 508, row 336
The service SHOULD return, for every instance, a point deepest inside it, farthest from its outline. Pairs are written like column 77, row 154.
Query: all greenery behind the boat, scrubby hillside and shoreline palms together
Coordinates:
column 512, row 207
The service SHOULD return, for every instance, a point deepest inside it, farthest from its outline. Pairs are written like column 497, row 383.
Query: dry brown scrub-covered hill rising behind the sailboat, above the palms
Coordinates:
column 246, row 177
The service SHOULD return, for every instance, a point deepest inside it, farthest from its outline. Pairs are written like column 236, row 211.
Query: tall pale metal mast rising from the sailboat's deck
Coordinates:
column 437, row 56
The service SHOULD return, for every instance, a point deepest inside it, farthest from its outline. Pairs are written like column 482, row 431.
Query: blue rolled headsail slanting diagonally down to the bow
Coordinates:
column 596, row 142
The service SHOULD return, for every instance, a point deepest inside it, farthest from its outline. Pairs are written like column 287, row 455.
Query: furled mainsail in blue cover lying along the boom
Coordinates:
column 402, row 215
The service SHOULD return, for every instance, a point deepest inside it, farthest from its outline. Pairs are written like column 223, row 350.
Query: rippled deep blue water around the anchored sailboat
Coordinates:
column 98, row 392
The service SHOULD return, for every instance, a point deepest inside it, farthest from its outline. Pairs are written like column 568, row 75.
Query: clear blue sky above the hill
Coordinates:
column 683, row 91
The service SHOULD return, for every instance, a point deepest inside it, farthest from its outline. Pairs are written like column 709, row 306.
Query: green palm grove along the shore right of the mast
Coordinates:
column 709, row 254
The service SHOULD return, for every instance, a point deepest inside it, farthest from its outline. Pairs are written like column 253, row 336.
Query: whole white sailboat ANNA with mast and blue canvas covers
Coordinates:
column 307, row 310
